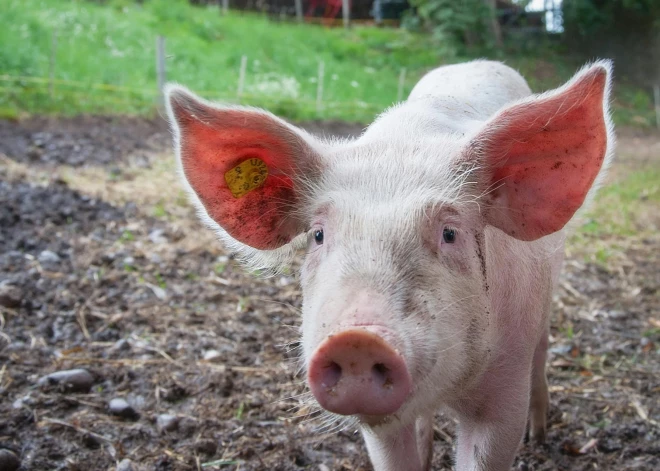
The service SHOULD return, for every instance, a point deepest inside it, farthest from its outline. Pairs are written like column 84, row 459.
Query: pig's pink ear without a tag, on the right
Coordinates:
column 542, row 155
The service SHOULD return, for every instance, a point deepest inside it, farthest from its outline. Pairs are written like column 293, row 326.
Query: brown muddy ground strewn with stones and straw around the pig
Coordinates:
column 103, row 267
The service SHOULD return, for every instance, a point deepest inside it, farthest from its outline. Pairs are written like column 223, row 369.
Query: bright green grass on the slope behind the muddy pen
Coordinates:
column 108, row 52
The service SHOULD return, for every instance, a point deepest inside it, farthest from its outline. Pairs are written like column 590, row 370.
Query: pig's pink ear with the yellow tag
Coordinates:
column 245, row 166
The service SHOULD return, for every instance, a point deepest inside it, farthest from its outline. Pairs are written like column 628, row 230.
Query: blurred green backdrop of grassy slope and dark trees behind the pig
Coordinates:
column 98, row 56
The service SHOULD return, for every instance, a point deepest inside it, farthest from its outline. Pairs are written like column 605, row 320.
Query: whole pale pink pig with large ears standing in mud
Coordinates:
column 432, row 244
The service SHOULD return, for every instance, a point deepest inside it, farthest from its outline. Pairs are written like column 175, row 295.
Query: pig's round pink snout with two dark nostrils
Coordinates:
column 357, row 372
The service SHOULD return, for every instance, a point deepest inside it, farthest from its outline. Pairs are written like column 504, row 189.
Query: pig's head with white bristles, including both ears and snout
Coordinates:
column 396, row 298
